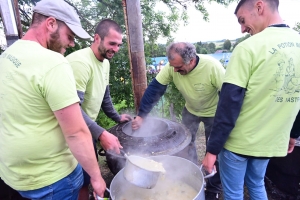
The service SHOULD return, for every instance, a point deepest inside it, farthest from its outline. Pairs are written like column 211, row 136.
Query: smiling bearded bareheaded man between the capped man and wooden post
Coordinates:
column 91, row 71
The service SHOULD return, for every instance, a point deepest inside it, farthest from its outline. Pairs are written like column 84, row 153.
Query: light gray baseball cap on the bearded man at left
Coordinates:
column 61, row 11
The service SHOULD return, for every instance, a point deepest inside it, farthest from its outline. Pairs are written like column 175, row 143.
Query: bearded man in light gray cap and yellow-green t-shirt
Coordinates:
column 43, row 134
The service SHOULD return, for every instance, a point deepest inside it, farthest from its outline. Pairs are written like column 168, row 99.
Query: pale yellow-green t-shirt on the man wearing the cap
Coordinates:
column 34, row 82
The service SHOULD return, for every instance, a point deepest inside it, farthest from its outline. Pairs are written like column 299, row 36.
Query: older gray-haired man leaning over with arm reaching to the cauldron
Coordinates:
column 199, row 79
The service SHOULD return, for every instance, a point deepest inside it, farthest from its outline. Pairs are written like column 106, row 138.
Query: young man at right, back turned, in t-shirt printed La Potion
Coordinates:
column 259, row 101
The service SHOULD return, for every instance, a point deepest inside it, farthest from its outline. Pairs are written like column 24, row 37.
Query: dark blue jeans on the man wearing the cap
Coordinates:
column 66, row 188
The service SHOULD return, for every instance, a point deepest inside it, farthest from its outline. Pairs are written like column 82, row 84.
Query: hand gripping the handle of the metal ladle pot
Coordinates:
column 110, row 142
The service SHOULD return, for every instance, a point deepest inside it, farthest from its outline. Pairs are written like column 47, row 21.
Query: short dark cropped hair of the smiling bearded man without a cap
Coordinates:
column 105, row 25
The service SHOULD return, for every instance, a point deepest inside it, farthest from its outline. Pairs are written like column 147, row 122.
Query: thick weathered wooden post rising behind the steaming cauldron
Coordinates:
column 133, row 22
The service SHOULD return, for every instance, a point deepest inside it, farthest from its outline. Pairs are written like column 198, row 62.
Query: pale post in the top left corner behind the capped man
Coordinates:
column 9, row 20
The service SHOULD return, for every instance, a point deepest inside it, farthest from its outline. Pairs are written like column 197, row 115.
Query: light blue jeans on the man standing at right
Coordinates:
column 235, row 170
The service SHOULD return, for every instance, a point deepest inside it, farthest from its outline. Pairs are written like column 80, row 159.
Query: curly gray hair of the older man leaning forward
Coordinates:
column 186, row 50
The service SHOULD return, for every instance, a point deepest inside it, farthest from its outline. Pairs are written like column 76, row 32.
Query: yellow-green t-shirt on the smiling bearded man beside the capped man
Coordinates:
column 92, row 78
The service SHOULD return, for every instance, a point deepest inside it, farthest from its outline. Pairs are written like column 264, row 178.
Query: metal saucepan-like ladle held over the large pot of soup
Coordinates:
column 140, row 175
